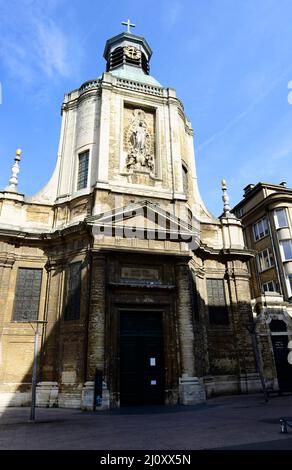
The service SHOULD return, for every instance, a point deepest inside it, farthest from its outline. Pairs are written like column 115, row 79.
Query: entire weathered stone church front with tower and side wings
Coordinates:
column 144, row 294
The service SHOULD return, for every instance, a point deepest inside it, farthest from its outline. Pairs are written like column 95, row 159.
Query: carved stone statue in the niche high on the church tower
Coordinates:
column 139, row 144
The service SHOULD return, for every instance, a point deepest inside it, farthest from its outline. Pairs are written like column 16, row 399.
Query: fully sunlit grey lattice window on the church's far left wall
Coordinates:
column 27, row 294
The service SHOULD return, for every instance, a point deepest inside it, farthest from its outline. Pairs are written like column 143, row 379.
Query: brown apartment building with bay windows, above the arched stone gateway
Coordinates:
column 266, row 213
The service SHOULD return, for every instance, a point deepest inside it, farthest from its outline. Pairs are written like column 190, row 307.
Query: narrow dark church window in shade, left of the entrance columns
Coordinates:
column 72, row 309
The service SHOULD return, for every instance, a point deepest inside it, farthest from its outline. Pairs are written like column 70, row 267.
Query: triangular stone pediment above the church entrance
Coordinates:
column 144, row 218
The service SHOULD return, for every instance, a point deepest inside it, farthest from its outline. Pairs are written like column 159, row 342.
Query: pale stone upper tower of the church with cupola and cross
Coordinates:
column 125, row 136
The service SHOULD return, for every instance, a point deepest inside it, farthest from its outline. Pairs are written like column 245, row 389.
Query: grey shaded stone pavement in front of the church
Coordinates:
column 236, row 422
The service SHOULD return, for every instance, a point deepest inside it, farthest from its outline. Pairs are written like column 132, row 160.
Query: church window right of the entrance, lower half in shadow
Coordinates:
column 218, row 314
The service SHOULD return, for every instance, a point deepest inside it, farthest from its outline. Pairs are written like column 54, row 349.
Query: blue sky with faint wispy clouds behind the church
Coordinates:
column 229, row 60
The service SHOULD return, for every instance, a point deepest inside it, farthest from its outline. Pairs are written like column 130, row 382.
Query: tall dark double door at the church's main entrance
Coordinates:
column 141, row 358
